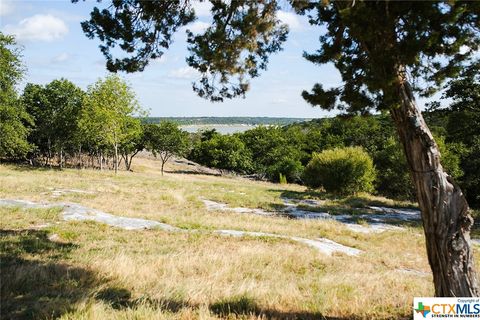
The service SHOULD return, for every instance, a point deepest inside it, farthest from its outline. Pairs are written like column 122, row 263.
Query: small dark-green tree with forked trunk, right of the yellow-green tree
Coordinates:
column 166, row 140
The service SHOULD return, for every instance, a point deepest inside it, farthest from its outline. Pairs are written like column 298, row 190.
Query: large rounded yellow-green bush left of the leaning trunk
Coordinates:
column 341, row 171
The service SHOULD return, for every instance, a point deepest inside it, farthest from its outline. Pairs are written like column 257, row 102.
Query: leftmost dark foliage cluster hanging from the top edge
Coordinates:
column 154, row 22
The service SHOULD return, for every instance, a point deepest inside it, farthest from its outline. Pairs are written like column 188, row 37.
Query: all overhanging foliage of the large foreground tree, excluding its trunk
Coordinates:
column 369, row 42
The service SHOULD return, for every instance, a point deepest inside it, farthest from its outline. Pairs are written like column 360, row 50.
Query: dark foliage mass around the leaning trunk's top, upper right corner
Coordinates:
column 372, row 43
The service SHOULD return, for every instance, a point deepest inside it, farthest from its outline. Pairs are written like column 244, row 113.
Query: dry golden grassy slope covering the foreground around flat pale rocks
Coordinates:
column 87, row 270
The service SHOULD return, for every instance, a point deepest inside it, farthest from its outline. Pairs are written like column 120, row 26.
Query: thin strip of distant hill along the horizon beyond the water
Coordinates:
column 226, row 120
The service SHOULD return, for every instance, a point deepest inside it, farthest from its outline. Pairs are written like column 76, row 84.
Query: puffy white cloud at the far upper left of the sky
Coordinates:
column 39, row 27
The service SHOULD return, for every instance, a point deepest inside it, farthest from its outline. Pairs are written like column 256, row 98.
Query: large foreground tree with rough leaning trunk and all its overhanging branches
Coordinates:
column 382, row 50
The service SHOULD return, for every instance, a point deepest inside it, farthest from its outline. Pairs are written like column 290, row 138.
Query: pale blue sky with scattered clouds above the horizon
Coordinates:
column 54, row 46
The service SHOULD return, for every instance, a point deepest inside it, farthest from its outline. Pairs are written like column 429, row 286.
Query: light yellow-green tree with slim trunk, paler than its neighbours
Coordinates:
column 108, row 114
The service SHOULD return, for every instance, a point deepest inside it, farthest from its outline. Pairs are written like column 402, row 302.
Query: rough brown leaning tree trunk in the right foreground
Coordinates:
column 445, row 213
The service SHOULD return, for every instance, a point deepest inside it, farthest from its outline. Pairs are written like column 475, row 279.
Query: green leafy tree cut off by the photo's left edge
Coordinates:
column 13, row 133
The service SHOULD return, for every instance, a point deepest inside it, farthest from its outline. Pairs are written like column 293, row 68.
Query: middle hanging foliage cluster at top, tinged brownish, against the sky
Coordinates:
column 235, row 47
